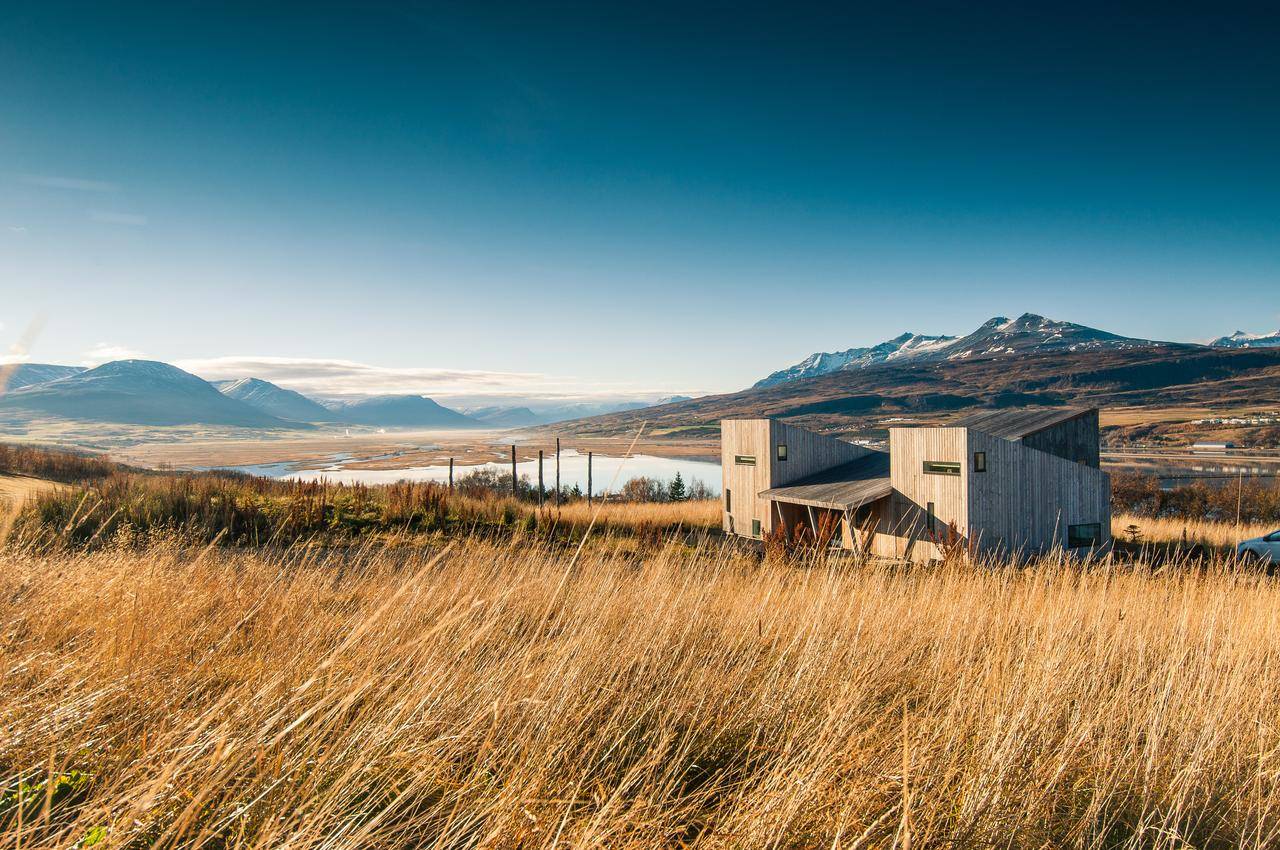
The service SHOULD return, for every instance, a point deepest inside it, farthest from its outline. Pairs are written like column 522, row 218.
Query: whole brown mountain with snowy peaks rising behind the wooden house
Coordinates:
column 1028, row 362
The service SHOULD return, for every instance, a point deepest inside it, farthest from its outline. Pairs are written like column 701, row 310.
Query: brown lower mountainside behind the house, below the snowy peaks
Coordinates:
column 1165, row 374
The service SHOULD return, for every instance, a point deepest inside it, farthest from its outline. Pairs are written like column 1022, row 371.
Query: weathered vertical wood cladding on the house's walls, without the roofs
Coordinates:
column 1025, row 502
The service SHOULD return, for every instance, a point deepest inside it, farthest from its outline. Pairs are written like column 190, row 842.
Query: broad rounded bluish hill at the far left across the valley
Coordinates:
column 136, row 392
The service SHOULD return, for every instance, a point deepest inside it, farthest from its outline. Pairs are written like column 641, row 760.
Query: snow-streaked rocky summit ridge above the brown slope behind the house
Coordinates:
column 998, row 337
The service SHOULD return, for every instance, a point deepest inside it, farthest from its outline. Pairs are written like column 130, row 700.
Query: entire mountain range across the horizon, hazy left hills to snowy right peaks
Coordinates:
column 1030, row 360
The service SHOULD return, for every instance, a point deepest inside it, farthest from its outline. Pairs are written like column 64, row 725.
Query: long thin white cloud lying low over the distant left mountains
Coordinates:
column 346, row 378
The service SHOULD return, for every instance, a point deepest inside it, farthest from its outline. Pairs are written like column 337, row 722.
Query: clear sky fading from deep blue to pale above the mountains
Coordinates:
column 595, row 199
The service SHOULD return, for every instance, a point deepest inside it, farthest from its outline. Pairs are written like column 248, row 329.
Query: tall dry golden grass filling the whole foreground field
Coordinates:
column 497, row 696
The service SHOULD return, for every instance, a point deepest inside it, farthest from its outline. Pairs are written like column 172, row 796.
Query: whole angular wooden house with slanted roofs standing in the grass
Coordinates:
column 999, row 482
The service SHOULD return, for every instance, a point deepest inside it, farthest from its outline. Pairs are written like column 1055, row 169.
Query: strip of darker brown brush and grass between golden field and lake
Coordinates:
column 245, row 510
